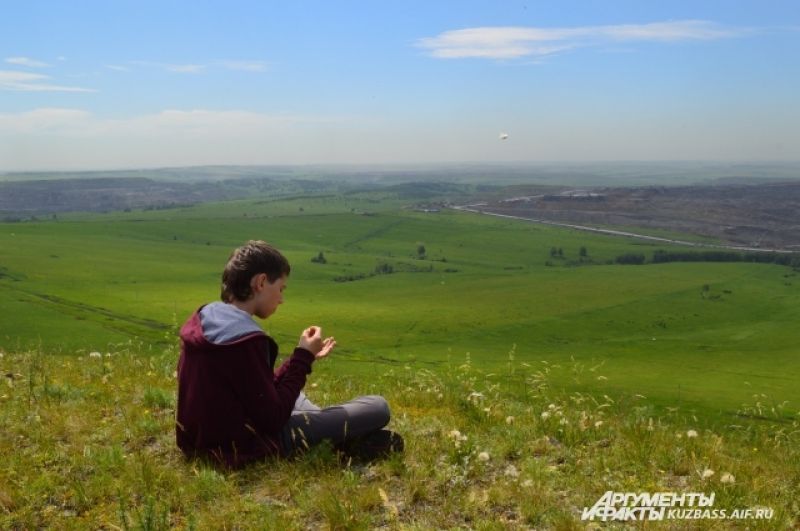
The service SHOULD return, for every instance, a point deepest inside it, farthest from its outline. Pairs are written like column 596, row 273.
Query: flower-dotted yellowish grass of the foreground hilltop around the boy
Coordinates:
column 88, row 442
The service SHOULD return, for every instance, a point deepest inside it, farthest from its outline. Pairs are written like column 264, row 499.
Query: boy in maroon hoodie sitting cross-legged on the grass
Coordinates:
column 232, row 406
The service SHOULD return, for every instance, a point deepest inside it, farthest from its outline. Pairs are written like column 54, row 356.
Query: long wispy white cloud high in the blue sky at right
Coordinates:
column 517, row 42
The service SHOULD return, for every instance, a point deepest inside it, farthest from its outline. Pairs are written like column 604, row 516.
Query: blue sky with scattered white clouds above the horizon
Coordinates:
column 92, row 85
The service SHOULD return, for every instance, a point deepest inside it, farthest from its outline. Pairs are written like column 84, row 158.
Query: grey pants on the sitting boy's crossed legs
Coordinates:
column 310, row 424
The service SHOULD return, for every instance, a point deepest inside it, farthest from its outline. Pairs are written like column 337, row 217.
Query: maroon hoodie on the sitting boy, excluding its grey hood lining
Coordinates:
column 231, row 405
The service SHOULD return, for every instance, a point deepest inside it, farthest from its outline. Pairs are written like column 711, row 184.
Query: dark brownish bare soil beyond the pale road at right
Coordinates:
column 762, row 215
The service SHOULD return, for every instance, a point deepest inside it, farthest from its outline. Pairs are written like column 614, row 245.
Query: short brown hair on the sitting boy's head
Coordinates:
column 249, row 260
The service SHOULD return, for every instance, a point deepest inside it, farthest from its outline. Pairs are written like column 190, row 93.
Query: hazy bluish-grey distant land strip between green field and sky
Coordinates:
column 753, row 205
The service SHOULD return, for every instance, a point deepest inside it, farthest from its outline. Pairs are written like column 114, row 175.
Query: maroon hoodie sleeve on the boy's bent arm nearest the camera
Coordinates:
column 269, row 403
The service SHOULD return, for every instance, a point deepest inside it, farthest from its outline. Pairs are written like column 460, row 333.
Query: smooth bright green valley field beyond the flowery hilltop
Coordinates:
column 88, row 282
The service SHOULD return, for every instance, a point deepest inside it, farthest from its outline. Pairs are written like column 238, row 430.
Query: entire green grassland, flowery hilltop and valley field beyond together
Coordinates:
column 646, row 351
